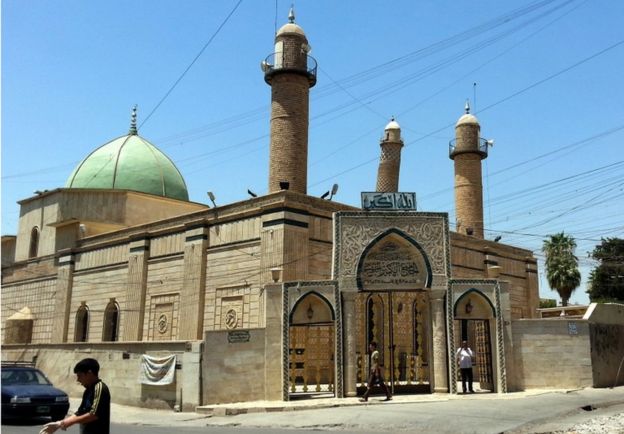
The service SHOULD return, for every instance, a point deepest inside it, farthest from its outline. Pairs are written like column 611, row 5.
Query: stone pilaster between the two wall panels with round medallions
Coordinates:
column 194, row 282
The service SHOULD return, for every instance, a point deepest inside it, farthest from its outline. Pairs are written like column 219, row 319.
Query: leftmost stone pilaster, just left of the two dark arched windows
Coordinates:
column 62, row 303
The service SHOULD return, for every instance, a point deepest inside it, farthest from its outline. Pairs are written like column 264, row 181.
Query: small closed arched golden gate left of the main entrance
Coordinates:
column 311, row 347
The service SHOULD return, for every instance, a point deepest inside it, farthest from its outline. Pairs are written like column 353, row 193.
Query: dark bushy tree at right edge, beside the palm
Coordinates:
column 606, row 281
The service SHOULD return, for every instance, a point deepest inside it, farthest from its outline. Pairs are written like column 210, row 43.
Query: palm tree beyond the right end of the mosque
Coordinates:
column 562, row 270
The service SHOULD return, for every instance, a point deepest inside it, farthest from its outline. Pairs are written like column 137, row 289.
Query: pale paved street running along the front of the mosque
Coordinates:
column 512, row 413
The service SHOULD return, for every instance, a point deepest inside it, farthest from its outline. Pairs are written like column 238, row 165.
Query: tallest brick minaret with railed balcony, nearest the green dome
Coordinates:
column 290, row 72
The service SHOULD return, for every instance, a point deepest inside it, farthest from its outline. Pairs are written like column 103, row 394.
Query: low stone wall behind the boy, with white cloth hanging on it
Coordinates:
column 119, row 369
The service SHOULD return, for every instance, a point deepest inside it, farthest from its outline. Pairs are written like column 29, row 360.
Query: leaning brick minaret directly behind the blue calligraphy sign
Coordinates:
column 390, row 159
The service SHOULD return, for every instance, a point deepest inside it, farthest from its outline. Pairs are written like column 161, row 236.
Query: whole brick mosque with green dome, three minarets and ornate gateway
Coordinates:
column 279, row 295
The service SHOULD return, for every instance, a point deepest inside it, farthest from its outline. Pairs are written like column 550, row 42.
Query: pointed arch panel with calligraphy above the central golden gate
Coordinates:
column 413, row 266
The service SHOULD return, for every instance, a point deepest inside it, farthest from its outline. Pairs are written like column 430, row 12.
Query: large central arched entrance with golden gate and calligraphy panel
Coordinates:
column 392, row 309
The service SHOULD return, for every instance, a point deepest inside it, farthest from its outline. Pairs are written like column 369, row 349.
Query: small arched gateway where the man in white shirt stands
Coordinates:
column 474, row 320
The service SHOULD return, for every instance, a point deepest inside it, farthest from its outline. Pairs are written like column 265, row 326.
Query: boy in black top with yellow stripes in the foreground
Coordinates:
column 93, row 415
